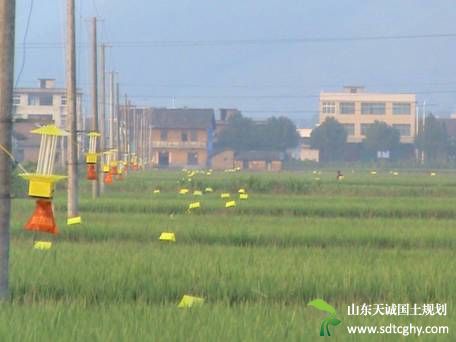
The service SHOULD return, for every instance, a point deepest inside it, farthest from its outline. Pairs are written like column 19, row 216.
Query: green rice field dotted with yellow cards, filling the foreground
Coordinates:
column 380, row 238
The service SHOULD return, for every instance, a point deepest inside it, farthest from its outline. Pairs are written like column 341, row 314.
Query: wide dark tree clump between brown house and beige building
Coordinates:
column 243, row 134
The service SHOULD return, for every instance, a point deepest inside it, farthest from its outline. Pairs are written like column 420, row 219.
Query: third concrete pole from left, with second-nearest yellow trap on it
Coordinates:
column 96, row 183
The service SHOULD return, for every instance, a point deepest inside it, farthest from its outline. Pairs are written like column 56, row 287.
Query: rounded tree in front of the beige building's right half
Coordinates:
column 381, row 137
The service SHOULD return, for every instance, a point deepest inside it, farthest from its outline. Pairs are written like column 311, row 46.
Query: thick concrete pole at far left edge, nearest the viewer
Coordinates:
column 7, row 18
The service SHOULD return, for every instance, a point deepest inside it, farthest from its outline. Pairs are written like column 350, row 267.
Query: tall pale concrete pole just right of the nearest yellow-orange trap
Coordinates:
column 72, row 114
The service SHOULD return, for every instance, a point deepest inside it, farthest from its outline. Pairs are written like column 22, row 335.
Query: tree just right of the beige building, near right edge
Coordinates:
column 433, row 140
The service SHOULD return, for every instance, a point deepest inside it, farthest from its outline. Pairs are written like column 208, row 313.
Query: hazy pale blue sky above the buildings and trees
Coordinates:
column 260, row 79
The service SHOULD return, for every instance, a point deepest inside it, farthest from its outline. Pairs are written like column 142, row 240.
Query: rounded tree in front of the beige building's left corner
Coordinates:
column 330, row 139
